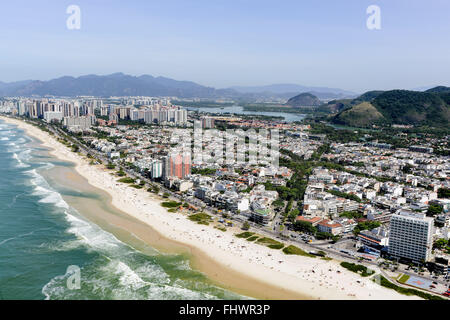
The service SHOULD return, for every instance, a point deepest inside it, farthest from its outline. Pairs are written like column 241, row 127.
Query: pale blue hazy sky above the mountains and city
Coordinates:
column 234, row 42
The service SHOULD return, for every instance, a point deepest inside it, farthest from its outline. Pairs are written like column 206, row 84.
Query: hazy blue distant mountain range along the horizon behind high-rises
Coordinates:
column 119, row 84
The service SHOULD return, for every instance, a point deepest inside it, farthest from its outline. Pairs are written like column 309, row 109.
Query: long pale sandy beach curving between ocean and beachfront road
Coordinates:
column 233, row 263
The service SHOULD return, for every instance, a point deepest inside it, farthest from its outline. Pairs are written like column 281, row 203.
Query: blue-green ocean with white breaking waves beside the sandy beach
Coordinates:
column 43, row 236
